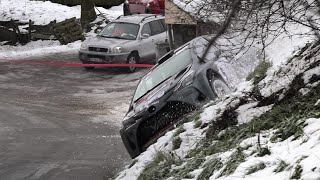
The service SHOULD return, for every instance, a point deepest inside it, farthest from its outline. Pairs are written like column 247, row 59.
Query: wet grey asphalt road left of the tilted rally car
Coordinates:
column 60, row 123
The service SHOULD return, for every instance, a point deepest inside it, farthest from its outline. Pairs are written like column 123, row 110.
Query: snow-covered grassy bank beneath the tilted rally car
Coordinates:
column 296, row 157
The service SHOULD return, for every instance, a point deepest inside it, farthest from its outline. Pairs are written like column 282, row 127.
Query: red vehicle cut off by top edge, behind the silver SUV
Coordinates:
column 143, row 6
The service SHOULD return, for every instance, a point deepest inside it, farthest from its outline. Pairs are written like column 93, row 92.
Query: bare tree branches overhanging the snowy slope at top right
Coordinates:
column 246, row 22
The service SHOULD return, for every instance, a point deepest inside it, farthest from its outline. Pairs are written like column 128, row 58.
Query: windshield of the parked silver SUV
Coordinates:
column 120, row 30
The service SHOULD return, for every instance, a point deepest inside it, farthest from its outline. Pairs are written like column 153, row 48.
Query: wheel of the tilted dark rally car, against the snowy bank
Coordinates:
column 218, row 85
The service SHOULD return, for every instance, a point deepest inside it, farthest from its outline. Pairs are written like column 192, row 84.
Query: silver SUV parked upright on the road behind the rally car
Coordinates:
column 128, row 39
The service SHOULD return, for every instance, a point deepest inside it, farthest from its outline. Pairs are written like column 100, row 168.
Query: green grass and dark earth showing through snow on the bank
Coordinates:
column 286, row 117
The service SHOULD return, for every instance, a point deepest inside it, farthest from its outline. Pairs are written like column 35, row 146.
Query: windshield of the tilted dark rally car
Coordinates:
column 172, row 66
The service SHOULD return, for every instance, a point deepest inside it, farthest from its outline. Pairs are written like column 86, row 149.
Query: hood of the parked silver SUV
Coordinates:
column 99, row 41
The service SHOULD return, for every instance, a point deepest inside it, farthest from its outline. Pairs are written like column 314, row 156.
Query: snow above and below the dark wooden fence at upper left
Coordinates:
column 43, row 13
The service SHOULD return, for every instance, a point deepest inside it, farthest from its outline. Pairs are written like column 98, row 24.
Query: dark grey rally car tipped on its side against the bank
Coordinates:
column 178, row 84
